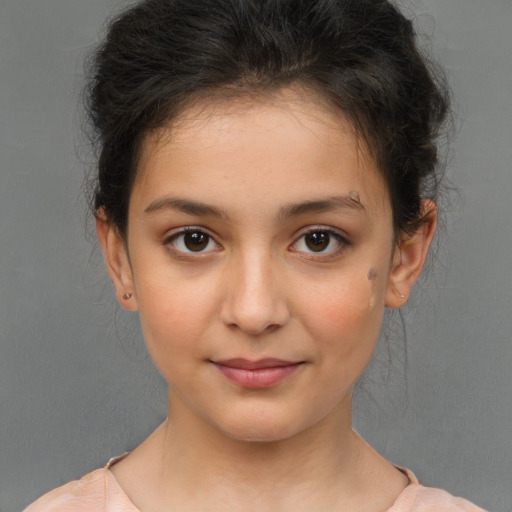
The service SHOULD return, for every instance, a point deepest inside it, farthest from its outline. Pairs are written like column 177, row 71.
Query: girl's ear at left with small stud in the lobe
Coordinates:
column 117, row 261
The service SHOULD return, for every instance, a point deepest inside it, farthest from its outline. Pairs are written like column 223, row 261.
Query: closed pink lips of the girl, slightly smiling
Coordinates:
column 260, row 374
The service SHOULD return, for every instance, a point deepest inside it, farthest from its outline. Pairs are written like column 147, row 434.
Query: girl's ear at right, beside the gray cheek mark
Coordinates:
column 409, row 257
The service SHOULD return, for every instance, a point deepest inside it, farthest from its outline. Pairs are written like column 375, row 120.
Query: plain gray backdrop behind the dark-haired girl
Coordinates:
column 76, row 386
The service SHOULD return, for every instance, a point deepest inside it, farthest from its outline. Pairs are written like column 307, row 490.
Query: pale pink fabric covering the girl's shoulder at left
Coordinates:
column 96, row 492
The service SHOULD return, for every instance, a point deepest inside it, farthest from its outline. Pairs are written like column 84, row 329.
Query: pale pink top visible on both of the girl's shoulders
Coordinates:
column 99, row 491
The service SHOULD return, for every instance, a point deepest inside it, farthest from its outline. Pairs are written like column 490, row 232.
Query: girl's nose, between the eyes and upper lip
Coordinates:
column 255, row 301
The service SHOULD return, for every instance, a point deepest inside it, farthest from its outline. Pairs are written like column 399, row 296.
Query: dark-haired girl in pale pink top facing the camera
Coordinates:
column 266, row 188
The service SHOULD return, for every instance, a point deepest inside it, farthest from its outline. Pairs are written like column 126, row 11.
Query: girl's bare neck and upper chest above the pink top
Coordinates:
column 187, row 464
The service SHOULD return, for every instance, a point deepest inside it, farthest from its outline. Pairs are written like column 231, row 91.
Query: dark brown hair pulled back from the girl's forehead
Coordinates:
column 360, row 55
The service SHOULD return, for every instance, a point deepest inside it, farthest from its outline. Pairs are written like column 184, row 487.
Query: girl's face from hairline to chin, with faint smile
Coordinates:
column 260, row 254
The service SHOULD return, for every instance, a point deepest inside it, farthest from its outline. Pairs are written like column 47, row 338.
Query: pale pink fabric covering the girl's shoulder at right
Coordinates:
column 416, row 498
